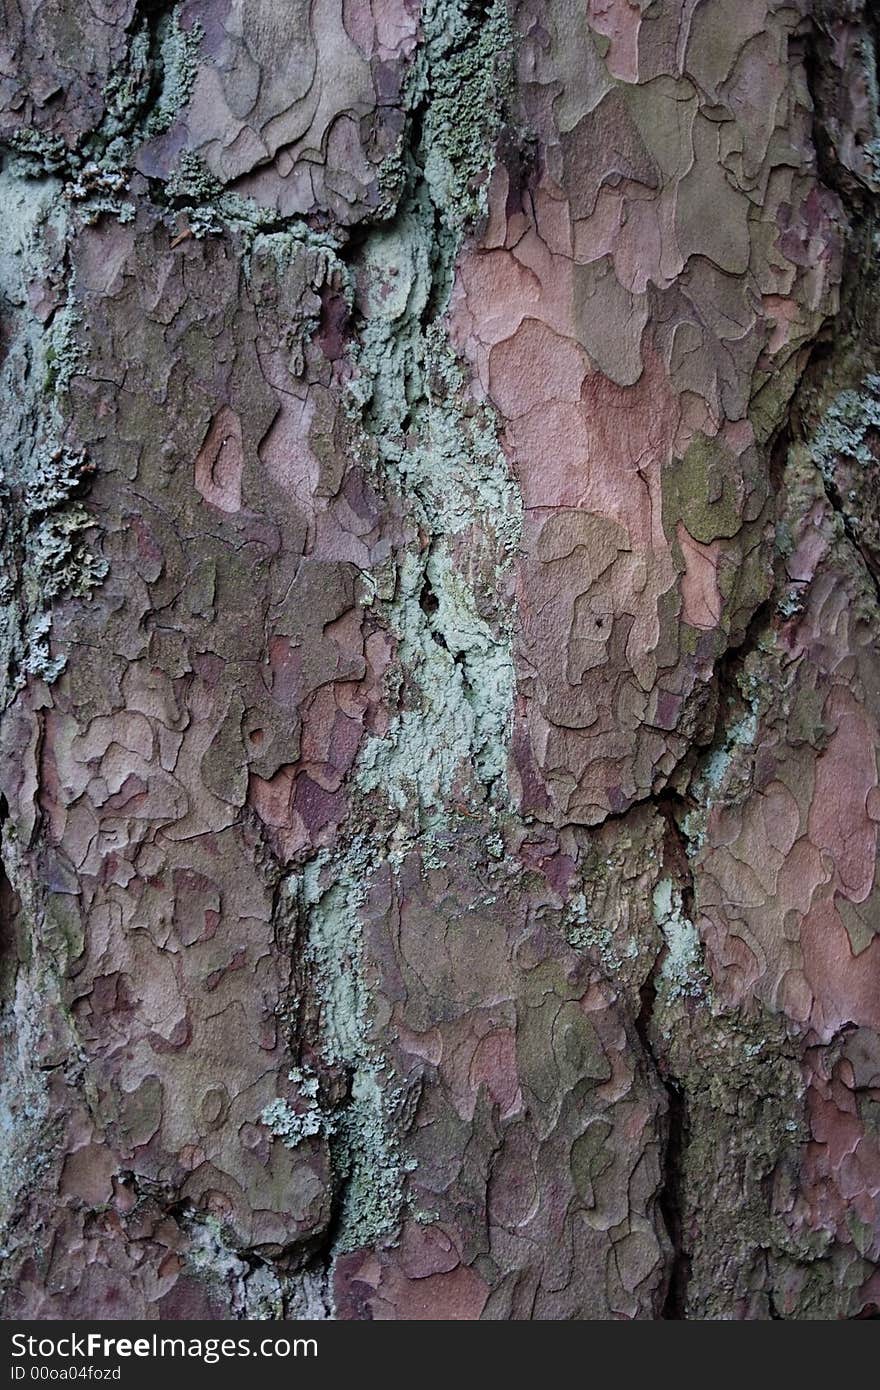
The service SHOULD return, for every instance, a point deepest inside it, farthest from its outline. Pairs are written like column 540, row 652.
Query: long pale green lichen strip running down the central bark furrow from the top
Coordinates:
column 434, row 447
